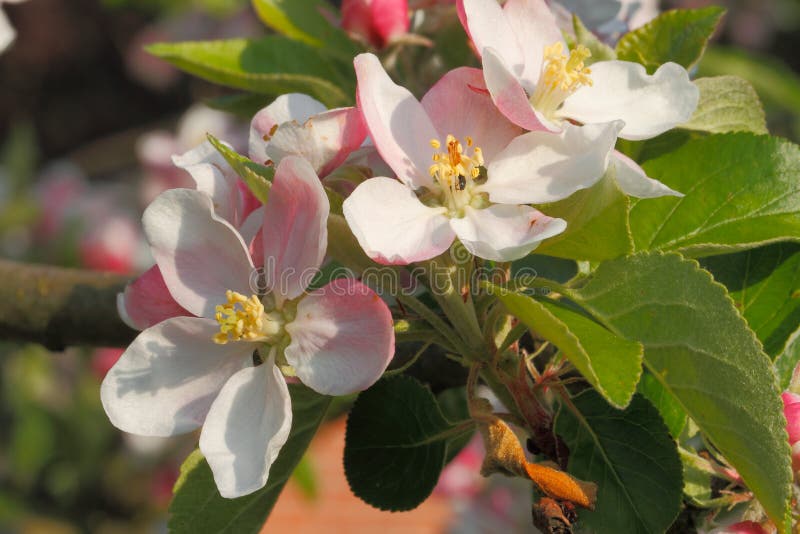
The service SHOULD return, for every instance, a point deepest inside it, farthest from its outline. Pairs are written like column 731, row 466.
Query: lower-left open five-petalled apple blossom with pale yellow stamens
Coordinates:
column 189, row 371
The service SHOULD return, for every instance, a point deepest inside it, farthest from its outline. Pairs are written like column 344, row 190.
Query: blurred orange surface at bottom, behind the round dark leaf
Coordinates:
column 336, row 510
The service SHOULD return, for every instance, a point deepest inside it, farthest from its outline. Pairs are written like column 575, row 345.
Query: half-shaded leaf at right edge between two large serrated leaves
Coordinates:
column 765, row 285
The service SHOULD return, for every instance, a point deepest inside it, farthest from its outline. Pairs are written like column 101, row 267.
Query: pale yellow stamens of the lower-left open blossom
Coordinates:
column 244, row 319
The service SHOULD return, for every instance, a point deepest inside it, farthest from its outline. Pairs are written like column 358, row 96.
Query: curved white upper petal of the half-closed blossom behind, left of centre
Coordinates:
column 289, row 107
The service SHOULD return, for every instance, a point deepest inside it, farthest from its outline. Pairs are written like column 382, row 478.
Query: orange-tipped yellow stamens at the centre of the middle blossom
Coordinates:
column 455, row 171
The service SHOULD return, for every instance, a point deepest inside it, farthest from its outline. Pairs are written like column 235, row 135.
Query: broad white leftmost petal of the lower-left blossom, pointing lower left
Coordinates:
column 166, row 380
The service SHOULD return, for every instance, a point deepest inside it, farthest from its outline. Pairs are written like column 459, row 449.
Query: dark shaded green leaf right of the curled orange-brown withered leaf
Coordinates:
column 633, row 459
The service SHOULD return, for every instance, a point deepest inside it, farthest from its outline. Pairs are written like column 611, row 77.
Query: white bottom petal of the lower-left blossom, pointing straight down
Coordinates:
column 246, row 428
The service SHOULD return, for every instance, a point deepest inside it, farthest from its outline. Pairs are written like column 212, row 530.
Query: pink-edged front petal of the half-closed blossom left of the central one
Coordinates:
column 324, row 140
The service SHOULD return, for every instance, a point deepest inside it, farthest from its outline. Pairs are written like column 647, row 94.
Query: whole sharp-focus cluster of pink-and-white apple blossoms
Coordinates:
column 227, row 313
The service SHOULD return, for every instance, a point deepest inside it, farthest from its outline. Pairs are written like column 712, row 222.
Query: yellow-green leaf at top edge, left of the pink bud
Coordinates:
column 307, row 21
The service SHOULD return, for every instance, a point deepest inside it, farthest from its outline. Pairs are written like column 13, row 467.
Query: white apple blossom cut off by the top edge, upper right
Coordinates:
column 539, row 84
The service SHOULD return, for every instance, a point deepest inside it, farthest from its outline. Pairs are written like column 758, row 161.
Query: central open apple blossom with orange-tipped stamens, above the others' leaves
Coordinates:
column 463, row 170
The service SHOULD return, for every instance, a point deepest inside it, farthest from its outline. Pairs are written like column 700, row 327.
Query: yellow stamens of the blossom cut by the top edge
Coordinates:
column 561, row 76
